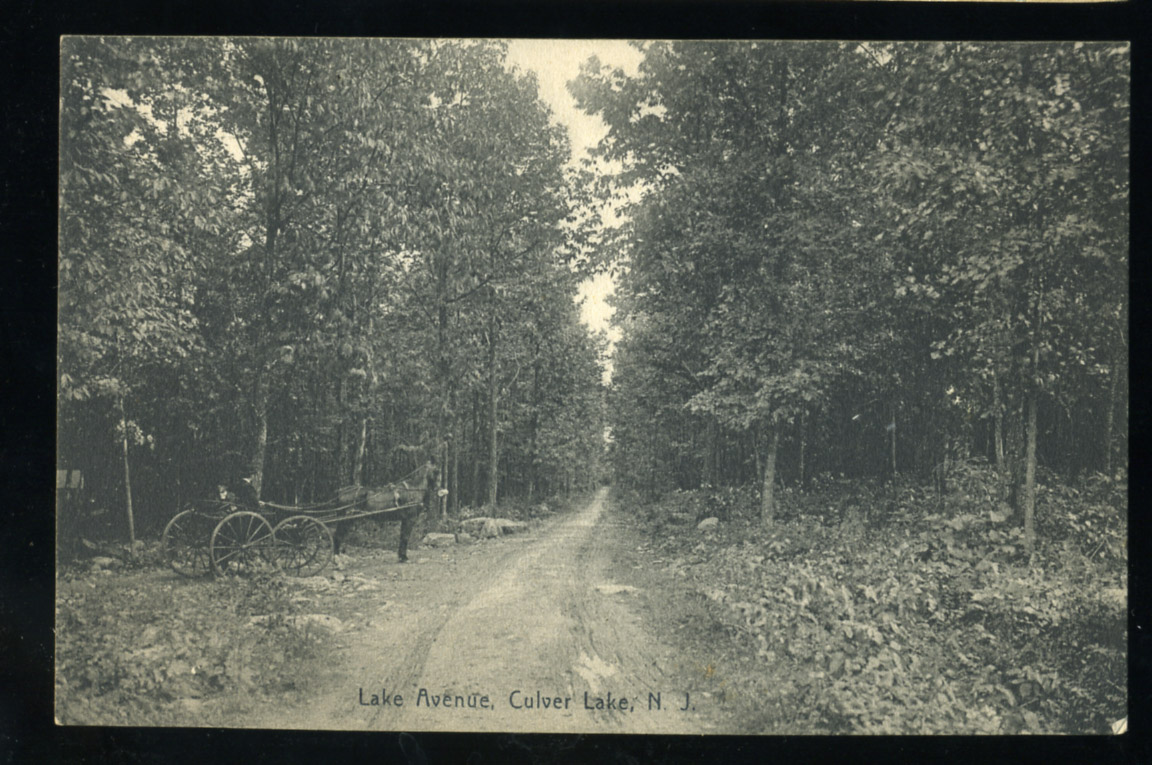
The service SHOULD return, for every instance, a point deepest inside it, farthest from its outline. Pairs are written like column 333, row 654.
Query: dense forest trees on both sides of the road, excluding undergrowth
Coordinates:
column 837, row 261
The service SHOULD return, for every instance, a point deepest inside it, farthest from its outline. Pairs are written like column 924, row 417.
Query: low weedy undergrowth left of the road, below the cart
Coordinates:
column 148, row 648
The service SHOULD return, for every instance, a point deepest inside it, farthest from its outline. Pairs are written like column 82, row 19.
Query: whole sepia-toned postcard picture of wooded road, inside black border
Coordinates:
column 594, row 387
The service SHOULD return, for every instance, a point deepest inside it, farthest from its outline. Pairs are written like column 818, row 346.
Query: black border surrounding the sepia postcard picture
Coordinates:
column 29, row 65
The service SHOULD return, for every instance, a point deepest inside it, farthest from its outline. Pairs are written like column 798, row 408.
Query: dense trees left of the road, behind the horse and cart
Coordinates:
column 317, row 263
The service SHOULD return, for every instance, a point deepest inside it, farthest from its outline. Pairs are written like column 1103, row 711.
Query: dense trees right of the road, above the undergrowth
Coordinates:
column 868, row 261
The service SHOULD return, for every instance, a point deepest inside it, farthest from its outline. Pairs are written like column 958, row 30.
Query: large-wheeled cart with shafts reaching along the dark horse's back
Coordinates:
column 218, row 536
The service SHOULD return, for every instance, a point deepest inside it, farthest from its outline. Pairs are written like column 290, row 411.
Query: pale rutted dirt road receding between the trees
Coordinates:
column 551, row 631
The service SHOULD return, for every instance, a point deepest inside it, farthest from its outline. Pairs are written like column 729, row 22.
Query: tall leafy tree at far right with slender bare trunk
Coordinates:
column 1017, row 163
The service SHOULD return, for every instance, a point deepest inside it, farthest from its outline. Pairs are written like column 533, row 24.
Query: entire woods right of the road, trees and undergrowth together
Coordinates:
column 870, row 398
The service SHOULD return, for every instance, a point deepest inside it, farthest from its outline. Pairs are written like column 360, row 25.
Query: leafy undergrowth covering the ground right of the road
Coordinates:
column 920, row 615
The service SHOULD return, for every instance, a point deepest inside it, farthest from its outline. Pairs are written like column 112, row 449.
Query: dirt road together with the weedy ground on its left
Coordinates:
column 564, row 625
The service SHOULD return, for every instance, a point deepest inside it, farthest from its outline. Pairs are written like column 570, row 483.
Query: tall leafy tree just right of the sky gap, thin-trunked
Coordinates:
column 742, row 237
